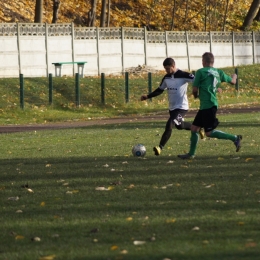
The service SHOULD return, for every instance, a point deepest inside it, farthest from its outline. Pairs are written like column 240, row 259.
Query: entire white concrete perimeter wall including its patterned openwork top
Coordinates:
column 30, row 49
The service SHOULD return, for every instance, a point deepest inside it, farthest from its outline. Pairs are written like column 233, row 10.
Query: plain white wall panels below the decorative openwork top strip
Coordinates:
column 111, row 55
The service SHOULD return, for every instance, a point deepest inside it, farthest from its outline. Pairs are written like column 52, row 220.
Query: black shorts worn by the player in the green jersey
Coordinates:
column 206, row 119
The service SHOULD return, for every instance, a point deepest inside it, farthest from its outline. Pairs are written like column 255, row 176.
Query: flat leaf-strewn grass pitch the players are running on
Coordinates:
column 80, row 194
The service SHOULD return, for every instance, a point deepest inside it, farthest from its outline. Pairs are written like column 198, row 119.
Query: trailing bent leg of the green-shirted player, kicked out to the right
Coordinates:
column 210, row 129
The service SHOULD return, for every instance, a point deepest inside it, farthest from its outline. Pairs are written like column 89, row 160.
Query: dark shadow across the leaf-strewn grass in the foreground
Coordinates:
column 145, row 198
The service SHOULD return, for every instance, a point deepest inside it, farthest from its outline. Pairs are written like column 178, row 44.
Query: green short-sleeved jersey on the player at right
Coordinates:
column 207, row 80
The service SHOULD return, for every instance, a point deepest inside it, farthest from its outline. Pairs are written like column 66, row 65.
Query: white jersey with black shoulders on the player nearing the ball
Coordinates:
column 176, row 85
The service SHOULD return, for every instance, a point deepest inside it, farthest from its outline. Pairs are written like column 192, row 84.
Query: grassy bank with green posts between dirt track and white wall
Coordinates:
column 38, row 110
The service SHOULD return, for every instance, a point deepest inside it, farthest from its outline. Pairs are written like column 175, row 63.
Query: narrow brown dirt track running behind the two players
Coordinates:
column 73, row 124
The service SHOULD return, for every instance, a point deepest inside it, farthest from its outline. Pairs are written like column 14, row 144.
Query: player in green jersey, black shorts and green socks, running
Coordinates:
column 205, row 87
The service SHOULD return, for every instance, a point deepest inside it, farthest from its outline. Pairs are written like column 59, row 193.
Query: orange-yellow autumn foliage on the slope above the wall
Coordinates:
column 159, row 15
